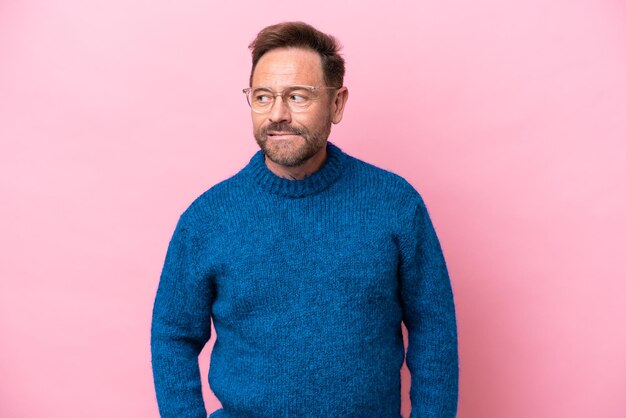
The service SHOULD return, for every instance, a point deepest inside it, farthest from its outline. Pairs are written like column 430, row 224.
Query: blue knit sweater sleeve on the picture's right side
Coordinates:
column 429, row 316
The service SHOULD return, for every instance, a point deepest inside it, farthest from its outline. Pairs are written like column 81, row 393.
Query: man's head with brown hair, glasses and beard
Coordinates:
column 291, row 125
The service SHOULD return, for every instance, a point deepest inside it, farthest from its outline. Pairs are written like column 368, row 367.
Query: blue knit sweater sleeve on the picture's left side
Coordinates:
column 181, row 326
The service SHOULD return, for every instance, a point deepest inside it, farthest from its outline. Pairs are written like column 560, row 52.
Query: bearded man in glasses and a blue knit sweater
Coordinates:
column 307, row 260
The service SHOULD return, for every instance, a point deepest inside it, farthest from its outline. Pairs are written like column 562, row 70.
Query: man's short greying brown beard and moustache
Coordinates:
column 294, row 152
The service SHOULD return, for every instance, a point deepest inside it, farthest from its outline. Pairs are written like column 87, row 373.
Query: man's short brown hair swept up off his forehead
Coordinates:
column 301, row 35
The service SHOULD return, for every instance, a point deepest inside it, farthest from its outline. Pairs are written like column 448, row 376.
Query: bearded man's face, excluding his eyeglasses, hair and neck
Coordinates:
column 289, row 138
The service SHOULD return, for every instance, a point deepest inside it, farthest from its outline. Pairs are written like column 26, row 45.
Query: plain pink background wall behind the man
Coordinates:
column 508, row 117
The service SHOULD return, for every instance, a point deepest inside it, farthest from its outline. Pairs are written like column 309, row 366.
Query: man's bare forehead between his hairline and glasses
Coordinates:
column 288, row 65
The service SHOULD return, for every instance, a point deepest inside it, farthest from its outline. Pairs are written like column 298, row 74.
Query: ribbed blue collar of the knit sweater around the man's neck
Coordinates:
column 328, row 173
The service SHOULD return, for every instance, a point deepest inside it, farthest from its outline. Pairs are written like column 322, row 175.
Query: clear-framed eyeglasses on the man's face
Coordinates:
column 297, row 98
